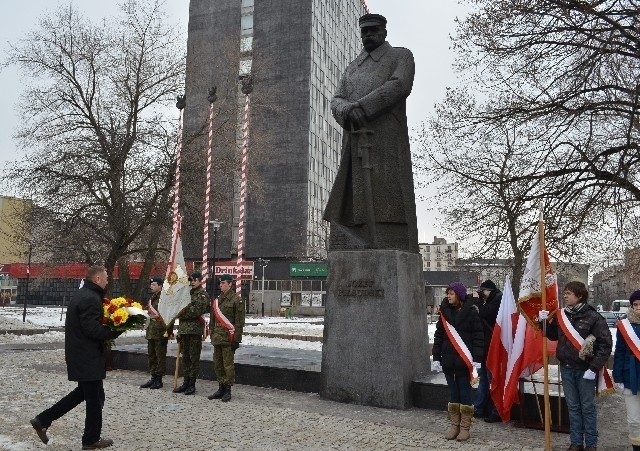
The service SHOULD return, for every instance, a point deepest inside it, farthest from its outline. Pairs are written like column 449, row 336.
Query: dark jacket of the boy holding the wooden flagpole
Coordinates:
column 587, row 322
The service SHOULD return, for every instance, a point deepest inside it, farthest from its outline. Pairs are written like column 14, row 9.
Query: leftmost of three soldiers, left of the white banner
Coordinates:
column 156, row 339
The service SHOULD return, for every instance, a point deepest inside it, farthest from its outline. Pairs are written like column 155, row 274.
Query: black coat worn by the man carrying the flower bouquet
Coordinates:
column 85, row 335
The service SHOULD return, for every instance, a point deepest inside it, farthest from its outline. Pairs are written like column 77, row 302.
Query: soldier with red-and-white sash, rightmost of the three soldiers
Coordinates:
column 225, row 345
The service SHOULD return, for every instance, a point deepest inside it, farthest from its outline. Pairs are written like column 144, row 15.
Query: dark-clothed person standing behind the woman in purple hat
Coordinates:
column 488, row 300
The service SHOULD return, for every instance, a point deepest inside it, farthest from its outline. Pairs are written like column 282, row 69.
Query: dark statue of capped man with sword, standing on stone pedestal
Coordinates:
column 372, row 202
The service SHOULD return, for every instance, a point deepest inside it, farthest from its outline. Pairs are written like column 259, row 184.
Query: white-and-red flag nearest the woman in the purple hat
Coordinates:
column 501, row 348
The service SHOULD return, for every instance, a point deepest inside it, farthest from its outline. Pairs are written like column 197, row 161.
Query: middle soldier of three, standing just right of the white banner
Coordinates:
column 190, row 331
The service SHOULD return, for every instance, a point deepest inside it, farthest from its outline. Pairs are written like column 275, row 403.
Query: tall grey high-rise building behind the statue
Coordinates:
column 295, row 52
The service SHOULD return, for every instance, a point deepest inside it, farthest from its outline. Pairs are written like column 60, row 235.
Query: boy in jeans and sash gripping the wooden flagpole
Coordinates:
column 579, row 368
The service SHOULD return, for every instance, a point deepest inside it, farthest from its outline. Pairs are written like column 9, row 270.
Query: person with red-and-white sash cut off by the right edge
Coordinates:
column 626, row 370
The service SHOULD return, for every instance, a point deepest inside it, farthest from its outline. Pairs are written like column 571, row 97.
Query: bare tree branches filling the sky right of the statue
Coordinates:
column 561, row 77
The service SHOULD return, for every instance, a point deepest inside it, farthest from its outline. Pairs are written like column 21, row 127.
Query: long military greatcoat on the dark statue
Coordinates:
column 380, row 83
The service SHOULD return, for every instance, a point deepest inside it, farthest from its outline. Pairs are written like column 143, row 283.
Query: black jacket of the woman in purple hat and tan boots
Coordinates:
column 467, row 323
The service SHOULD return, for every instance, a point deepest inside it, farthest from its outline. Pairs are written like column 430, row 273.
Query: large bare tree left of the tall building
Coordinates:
column 97, row 131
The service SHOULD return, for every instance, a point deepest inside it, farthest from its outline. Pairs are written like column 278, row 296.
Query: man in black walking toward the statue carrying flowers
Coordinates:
column 84, row 354
